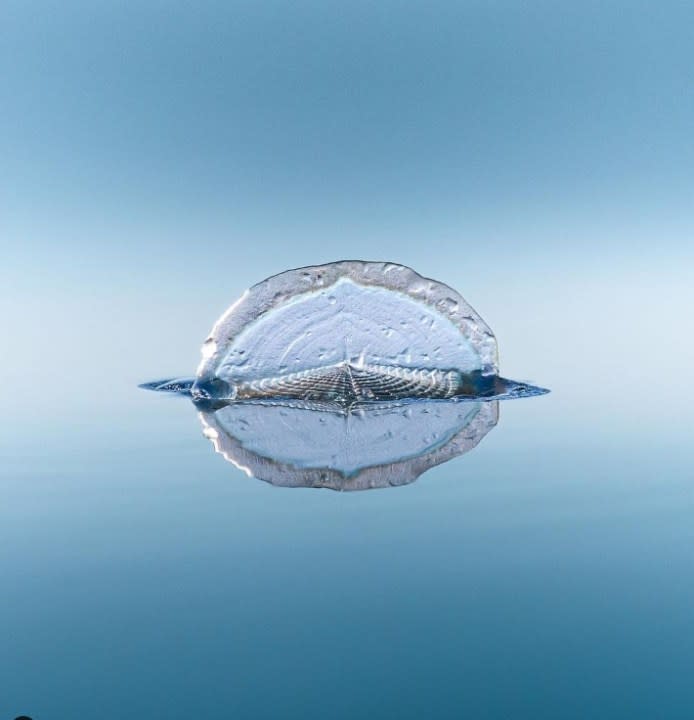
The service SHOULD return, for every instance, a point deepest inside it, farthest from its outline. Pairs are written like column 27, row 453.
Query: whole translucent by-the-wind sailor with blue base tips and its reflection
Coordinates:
column 349, row 375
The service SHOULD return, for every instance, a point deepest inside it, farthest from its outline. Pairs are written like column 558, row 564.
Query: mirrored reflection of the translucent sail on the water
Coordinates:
column 356, row 449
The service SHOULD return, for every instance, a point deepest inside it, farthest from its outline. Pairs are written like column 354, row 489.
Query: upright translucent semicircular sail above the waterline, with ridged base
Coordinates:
column 346, row 331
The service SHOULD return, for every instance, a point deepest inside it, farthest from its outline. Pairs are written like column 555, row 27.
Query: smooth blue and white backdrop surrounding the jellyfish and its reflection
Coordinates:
column 156, row 159
